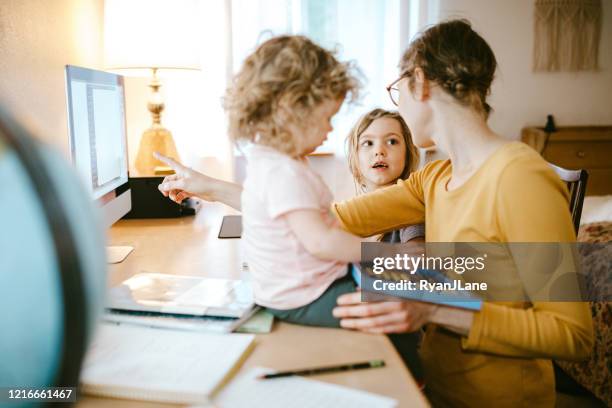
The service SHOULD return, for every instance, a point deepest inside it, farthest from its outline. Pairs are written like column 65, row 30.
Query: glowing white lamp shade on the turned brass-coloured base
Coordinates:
column 144, row 34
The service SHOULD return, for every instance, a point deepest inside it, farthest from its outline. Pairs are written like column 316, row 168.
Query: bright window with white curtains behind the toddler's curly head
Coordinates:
column 365, row 31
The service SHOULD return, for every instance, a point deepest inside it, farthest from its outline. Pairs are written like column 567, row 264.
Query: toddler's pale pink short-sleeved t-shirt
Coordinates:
column 285, row 274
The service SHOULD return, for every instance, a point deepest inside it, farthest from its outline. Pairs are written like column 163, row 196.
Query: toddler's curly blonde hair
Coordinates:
column 279, row 85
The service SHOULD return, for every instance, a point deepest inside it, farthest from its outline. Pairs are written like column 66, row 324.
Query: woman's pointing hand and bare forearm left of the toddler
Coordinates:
column 187, row 182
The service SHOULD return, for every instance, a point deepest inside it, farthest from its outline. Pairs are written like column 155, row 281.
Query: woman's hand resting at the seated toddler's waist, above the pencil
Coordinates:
column 382, row 317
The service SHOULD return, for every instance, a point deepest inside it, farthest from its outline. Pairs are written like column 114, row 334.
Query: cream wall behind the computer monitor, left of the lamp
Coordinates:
column 37, row 38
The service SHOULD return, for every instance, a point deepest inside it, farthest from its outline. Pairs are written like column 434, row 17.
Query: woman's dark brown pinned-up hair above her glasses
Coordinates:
column 457, row 58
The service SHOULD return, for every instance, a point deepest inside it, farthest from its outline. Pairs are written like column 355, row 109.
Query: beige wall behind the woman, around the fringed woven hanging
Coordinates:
column 521, row 97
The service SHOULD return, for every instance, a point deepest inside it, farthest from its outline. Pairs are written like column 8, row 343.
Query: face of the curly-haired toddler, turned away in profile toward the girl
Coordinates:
column 315, row 131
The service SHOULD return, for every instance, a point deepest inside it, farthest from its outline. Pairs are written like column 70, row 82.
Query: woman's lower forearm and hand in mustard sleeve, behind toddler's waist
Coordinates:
column 560, row 330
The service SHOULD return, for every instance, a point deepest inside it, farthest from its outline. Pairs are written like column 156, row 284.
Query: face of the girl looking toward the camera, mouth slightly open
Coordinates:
column 381, row 153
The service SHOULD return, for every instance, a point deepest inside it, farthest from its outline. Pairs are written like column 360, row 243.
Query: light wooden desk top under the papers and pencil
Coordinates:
column 190, row 246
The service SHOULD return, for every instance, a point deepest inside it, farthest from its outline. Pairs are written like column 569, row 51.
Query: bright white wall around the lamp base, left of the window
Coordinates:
column 193, row 111
